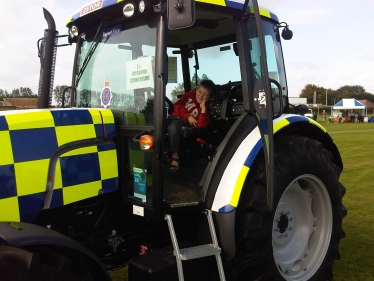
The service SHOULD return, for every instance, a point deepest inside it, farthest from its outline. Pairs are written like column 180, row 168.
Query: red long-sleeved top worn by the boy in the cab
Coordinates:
column 188, row 106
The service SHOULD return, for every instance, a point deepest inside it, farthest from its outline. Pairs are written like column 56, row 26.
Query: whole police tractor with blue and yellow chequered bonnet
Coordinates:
column 85, row 187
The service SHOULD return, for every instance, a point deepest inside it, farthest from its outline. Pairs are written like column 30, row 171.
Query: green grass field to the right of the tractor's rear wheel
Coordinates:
column 354, row 141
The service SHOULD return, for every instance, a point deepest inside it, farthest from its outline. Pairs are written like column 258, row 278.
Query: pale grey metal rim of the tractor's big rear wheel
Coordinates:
column 302, row 228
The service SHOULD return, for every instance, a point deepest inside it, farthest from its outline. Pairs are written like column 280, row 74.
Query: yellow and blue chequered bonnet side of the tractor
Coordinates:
column 28, row 140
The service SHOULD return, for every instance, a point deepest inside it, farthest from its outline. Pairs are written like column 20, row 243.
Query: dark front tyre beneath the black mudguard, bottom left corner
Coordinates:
column 42, row 263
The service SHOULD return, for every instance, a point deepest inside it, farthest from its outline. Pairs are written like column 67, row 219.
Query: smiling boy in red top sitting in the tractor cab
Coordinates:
column 190, row 111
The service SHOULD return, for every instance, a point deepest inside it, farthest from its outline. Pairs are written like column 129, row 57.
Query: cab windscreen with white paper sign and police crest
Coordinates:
column 115, row 67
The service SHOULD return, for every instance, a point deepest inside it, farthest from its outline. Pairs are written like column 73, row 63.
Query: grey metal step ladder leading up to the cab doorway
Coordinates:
column 197, row 251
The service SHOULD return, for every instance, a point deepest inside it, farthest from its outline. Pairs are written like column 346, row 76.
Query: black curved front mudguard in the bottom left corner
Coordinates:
column 21, row 234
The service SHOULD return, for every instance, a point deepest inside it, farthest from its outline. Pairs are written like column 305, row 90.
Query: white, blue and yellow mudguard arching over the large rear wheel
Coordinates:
column 224, row 198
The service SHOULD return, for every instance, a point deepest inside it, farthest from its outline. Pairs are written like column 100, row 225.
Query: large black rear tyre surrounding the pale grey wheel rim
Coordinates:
column 300, row 240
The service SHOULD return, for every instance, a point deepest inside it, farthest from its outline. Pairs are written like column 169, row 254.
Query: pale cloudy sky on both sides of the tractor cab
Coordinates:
column 332, row 44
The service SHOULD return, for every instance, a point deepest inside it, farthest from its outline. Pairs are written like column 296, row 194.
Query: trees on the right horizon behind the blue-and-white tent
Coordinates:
column 333, row 96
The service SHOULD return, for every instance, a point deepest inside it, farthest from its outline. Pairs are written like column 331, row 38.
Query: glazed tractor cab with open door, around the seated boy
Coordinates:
column 132, row 59
